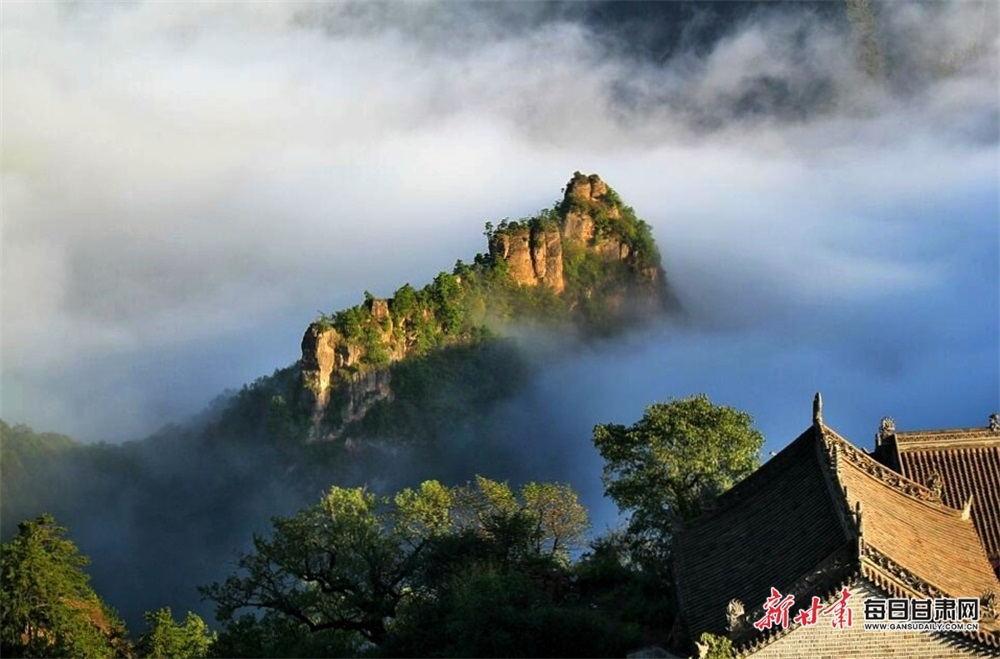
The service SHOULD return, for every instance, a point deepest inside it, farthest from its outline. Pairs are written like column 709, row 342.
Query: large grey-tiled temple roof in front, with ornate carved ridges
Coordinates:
column 816, row 516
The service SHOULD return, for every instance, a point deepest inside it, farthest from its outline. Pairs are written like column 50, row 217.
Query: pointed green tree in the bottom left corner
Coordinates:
column 47, row 606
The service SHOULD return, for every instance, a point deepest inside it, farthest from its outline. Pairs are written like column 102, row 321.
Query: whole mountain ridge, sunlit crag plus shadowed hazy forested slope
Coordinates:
column 386, row 393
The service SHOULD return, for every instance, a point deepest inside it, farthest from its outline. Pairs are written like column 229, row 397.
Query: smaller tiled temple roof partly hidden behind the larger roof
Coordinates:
column 967, row 460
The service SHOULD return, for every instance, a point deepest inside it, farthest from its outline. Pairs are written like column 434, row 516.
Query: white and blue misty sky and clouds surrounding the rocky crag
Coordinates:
column 185, row 185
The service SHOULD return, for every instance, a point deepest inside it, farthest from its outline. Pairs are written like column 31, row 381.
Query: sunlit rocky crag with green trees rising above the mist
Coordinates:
column 588, row 261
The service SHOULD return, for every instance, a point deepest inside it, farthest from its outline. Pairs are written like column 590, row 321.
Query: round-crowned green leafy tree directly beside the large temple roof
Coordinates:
column 664, row 468
